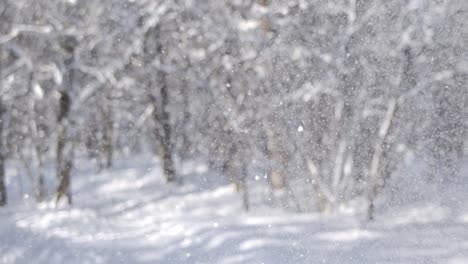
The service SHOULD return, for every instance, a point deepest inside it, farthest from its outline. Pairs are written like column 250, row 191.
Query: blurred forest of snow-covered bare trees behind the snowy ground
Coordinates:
column 327, row 99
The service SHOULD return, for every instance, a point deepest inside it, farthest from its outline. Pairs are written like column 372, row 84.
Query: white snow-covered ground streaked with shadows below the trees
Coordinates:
column 128, row 215
